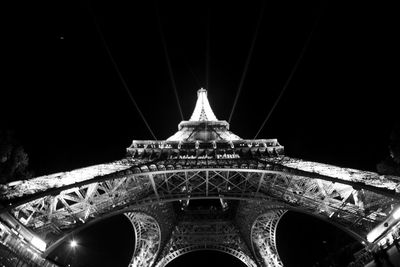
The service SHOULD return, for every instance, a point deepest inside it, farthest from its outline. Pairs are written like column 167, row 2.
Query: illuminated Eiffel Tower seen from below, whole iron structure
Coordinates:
column 203, row 188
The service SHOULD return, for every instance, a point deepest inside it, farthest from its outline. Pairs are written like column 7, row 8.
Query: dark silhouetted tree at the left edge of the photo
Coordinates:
column 13, row 159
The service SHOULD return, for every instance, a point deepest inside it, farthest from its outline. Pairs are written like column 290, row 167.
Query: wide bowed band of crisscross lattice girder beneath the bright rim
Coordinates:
column 78, row 205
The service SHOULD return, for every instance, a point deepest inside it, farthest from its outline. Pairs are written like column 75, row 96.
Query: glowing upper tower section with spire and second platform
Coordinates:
column 204, row 136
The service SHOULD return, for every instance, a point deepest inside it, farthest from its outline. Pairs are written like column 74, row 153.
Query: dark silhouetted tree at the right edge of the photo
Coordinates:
column 391, row 165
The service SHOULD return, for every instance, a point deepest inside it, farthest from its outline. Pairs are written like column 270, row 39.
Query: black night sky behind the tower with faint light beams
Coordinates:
column 65, row 101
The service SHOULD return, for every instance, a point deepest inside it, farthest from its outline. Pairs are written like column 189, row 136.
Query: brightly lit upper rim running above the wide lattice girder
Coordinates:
column 17, row 193
